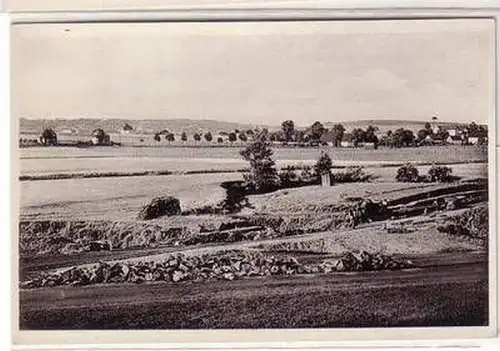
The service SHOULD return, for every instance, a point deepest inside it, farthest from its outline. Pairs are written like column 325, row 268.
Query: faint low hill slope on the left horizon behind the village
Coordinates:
column 84, row 126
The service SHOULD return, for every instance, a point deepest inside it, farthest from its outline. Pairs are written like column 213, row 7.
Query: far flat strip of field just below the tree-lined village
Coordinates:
column 42, row 160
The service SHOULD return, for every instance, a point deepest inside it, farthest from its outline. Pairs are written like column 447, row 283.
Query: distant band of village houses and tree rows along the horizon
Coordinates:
column 433, row 133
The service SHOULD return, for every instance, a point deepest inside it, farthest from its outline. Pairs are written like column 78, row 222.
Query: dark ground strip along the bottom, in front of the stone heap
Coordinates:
column 452, row 295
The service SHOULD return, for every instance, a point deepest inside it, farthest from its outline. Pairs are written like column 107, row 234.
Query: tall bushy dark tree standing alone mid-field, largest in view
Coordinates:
column 263, row 175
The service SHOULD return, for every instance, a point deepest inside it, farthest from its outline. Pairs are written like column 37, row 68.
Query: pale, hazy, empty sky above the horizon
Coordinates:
column 256, row 72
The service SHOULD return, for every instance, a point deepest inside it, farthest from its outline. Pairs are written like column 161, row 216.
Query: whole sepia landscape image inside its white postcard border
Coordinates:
column 253, row 174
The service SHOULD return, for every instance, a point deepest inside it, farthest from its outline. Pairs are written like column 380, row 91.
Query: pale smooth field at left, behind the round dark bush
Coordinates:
column 116, row 198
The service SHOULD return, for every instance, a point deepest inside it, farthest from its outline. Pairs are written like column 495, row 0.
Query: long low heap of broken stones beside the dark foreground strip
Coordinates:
column 226, row 265
